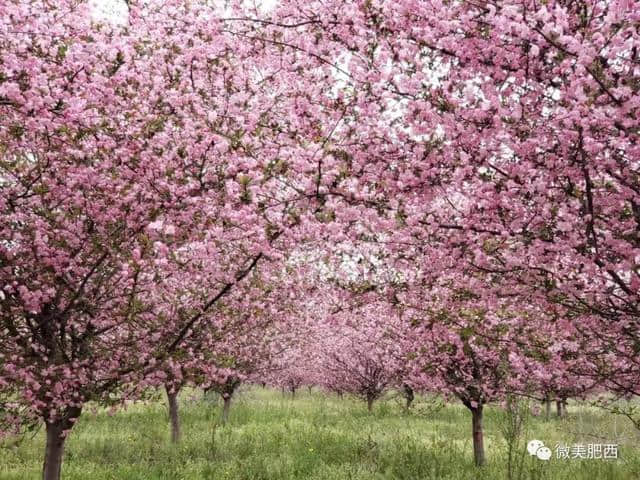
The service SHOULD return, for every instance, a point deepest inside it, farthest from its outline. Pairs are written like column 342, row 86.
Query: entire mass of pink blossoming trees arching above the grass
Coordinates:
column 439, row 196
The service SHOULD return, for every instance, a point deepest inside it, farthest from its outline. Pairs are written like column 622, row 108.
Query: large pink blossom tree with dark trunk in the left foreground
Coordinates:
column 102, row 188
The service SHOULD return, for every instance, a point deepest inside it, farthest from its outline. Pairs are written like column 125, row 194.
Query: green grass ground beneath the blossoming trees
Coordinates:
column 317, row 436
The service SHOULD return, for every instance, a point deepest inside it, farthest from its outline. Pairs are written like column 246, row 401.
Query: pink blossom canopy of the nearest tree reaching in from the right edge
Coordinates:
column 517, row 154
